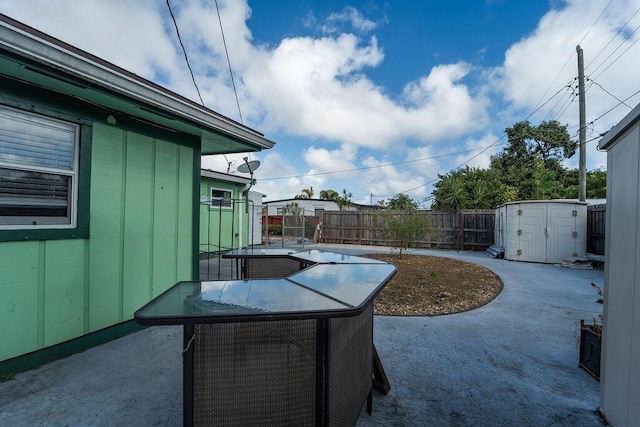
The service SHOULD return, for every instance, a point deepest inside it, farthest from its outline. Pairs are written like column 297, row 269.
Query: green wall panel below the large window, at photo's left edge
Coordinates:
column 19, row 298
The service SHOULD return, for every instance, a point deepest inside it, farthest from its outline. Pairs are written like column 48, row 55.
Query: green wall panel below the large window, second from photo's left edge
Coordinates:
column 63, row 290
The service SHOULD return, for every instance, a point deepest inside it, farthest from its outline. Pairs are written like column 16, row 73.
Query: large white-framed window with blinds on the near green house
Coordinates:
column 38, row 171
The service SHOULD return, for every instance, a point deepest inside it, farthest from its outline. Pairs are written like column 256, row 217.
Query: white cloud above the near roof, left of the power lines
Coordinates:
column 129, row 34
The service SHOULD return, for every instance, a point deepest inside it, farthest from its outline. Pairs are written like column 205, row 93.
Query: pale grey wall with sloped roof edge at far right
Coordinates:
column 620, row 370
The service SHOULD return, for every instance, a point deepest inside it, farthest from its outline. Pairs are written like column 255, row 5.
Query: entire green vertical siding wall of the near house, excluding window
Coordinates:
column 141, row 243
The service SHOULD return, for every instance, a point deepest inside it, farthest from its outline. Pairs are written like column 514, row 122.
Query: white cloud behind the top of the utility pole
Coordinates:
column 532, row 64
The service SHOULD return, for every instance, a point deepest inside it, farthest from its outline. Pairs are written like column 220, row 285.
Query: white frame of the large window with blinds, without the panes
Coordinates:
column 47, row 222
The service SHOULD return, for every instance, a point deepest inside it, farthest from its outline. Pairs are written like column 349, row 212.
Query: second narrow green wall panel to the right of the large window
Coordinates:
column 138, row 224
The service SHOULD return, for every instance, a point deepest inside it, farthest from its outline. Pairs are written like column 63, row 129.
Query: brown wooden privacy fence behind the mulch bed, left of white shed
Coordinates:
column 465, row 230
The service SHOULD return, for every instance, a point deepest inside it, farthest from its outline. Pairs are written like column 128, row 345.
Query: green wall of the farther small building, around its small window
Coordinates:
column 222, row 228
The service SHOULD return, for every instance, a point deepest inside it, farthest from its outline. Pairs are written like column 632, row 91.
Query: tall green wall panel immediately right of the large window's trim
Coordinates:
column 106, row 218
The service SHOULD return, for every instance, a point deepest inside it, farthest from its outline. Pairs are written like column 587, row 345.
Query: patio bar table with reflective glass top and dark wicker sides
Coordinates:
column 294, row 350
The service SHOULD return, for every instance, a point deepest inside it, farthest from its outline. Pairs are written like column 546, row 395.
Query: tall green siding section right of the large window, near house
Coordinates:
column 141, row 222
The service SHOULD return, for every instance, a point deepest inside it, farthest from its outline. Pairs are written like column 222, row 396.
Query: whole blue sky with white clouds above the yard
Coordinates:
column 376, row 97
